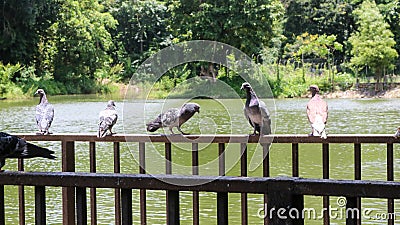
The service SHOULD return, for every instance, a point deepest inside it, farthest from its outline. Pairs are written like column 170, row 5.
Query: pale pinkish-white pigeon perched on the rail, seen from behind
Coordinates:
column 317, row 113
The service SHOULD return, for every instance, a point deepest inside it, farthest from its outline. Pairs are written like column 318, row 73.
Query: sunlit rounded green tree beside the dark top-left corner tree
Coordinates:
column 79, row 42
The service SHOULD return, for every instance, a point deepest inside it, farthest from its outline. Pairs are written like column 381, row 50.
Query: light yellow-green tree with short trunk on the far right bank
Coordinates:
column 372, row 43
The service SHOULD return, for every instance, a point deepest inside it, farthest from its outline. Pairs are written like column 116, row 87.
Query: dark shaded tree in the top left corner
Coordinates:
column 21, row 23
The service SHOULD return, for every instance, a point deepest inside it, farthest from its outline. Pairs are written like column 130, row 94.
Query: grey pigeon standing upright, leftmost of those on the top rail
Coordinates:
column 44, row 113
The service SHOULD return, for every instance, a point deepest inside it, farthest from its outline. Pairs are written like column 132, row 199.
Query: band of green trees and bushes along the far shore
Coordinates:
column 73, row 46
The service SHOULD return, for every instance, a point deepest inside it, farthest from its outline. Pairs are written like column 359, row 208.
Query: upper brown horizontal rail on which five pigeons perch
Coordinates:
column 218, row 138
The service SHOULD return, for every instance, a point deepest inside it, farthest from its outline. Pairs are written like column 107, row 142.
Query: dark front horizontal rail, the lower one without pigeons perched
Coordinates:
column 260, row 185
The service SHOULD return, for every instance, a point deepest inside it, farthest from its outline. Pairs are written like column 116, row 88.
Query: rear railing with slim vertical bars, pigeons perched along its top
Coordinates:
column 68, row 165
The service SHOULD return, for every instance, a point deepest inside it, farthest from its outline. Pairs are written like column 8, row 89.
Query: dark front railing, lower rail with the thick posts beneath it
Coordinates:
column 284, row 192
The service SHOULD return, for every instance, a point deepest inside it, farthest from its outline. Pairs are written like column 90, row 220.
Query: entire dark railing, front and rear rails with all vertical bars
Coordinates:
column 278, row 192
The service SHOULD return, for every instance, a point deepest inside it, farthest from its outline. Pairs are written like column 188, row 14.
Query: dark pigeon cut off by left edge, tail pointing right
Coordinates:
column 15, row 147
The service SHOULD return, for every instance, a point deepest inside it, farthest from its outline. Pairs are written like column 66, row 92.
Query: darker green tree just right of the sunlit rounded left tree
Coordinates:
column 141, row 30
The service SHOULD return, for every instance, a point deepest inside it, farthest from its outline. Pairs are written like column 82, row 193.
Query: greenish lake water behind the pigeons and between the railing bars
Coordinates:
column 79, row 114
